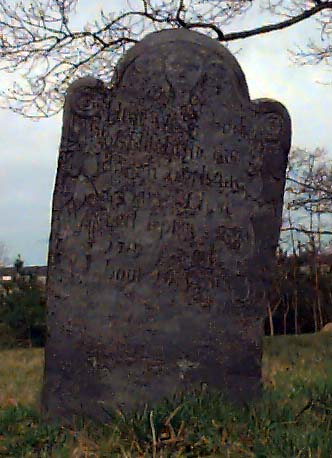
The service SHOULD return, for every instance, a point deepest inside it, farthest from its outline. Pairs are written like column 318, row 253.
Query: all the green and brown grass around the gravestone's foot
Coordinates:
column 294, row 418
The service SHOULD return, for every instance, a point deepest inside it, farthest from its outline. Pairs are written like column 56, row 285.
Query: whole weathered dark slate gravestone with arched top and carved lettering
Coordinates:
column 166, row 216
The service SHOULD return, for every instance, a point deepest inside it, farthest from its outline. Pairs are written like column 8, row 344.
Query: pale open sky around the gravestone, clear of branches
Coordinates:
column 29, row 149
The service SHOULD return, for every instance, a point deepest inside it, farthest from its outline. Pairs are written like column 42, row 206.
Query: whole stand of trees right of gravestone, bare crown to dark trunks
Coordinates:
column 301, row 293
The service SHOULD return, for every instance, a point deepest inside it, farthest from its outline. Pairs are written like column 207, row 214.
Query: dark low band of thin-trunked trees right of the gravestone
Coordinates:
column 300, row 299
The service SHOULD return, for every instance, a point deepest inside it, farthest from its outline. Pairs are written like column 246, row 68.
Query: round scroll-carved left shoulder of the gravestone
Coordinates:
column 85, row 96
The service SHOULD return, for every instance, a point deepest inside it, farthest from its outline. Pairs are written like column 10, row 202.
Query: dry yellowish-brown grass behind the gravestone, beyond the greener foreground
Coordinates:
column 284, row 360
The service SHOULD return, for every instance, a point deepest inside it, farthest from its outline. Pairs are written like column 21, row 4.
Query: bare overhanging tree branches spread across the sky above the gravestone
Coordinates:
column 38, row 41
